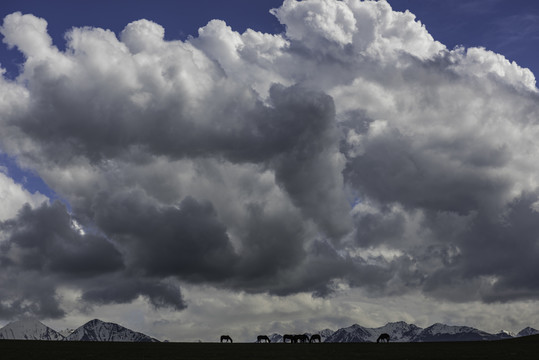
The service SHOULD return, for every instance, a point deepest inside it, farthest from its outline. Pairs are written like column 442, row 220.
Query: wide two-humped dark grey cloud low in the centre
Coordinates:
column 189, row 242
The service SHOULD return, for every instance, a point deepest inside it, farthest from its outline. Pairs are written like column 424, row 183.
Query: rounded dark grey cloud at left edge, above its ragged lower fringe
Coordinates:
column 45, row 240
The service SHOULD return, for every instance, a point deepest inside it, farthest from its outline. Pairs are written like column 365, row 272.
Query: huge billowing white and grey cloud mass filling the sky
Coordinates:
column 353, row 150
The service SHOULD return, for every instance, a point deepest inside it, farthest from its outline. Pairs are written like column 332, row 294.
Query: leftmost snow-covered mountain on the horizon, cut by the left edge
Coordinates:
column 29, row 329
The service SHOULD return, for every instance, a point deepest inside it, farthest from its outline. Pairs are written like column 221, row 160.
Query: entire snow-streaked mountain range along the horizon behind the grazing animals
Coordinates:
column 97, row 330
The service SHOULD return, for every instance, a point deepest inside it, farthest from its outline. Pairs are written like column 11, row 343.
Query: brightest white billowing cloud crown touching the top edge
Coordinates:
column 356, row 28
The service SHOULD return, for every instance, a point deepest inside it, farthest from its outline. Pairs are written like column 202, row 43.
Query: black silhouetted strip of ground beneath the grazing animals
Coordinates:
column 522, row 348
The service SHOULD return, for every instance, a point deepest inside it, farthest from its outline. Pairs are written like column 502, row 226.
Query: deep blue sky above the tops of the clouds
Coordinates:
column 507, row 27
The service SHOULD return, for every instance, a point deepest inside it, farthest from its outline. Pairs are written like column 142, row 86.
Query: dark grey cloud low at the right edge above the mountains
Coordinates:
column 505, row 251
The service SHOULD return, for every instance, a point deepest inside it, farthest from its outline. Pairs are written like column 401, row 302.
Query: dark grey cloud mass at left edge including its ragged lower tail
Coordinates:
column 44, row 243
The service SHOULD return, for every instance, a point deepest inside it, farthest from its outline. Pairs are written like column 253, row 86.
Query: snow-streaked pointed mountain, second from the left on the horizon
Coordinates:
column 97, row 330
